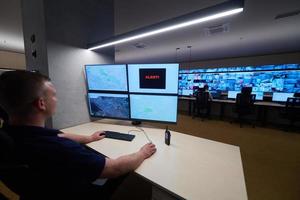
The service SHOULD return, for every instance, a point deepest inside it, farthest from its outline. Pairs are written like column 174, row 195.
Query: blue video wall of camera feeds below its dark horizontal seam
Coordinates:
column 260, row 81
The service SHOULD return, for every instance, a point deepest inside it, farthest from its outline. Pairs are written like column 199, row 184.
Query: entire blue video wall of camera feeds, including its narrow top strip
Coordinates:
column 267, row 78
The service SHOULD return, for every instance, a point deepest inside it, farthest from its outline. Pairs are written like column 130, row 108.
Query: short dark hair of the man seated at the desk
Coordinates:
column 19, row 89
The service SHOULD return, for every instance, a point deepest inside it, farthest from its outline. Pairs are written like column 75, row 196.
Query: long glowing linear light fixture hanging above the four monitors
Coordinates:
column 168, row 28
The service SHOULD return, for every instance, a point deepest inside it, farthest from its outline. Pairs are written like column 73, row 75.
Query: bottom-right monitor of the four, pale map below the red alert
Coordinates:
column 153, row 107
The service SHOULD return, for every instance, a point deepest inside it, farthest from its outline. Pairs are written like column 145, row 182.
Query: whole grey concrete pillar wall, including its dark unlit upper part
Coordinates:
column 63, row 30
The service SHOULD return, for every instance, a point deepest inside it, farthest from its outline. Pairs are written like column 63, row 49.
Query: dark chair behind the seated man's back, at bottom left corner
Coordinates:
column 12, row 173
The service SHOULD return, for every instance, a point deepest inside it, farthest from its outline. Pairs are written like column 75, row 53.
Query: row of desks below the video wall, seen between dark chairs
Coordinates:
column 263, row 106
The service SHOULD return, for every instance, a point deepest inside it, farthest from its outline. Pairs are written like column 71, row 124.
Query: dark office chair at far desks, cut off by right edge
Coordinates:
column 292, row 111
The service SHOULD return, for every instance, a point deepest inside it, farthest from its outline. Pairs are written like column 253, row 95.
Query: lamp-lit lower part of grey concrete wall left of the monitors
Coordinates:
column 66, row 66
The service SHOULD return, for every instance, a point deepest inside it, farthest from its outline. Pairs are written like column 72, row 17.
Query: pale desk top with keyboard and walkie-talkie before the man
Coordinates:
column 191, row 167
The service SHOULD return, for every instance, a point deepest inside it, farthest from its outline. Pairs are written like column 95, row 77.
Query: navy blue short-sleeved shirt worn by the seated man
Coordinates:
column 56, row 164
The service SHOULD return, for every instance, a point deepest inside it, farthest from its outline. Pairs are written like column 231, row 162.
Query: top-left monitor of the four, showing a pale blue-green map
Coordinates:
column 106, row 77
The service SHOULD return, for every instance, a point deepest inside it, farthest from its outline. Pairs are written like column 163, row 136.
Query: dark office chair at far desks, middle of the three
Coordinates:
column 244, row 105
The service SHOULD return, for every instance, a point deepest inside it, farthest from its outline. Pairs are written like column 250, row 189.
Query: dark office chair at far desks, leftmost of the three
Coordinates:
column 202, row 104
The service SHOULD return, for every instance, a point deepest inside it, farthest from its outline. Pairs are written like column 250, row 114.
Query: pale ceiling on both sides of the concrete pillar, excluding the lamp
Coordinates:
column 253, row 32
